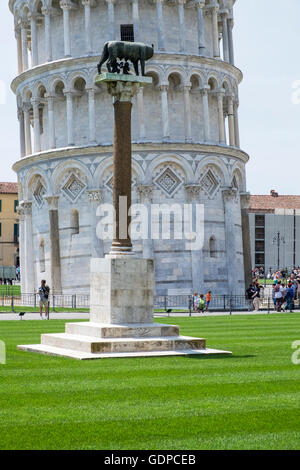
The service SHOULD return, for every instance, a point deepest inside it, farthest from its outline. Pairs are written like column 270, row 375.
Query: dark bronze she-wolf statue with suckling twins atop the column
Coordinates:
column 134, row 51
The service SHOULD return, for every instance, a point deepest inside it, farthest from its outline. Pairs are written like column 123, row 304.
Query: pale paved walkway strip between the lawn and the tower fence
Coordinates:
column 85, row 316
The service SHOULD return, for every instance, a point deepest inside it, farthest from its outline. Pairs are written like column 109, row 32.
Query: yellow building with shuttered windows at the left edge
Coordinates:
column 9, row 230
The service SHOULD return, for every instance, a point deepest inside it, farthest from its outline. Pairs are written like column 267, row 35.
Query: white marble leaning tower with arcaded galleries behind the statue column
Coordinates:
column 185, row 136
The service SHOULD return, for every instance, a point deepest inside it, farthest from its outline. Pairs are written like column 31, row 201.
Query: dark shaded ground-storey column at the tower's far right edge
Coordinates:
column 245, row 199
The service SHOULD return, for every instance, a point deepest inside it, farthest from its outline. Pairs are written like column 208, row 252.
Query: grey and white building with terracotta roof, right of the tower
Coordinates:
column 275, row 231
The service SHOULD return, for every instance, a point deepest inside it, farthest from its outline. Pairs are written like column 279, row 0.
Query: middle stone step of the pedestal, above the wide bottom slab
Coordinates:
column 91, row 344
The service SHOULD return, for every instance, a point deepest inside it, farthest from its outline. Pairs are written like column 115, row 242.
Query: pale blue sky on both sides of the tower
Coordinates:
column 267, row 39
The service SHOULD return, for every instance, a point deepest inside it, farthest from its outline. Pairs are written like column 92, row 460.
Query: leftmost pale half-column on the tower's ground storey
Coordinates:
column 30, row 287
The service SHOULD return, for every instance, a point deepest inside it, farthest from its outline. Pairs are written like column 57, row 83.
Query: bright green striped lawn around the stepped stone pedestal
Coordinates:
column 248, row 401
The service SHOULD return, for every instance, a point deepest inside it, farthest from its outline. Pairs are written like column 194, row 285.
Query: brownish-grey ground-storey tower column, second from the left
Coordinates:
column 55, row 261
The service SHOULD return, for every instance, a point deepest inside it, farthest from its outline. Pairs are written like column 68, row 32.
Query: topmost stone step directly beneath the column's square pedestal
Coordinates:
column 102, row 330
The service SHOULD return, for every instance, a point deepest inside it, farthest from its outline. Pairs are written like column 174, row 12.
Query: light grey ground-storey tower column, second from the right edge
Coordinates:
column 229, row 198
